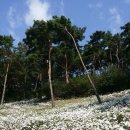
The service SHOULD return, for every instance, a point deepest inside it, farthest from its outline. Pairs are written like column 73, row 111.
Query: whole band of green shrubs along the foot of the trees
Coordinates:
column 109, row 80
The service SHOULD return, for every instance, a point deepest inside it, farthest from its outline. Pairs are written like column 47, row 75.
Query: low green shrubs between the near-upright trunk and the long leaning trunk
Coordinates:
column 78, row 87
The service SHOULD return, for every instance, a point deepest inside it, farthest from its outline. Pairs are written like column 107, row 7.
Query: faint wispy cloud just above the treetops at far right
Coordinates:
column 115, row 20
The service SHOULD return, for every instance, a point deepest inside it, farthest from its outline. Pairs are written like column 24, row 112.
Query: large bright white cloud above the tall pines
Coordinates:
column 37, row 10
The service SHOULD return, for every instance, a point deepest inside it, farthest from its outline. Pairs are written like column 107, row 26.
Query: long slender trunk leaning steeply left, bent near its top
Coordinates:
column 93, row 85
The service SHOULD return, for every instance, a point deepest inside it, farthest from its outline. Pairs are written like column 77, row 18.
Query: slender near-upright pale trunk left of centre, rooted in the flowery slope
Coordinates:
column 49, row 75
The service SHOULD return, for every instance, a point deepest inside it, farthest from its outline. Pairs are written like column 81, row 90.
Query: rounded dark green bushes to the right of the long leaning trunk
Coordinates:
column 112, row 79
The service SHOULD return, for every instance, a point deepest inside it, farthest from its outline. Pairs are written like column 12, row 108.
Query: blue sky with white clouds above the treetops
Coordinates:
column 18, row 15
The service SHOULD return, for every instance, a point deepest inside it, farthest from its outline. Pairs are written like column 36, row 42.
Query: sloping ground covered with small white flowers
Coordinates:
column 72, row 114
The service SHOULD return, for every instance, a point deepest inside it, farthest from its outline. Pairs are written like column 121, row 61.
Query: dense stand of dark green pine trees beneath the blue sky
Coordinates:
column 24, row 70
